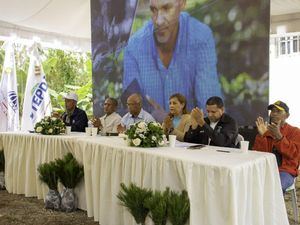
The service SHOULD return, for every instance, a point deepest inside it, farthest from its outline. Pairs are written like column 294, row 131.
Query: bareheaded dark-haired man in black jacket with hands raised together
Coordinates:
column 218, row 128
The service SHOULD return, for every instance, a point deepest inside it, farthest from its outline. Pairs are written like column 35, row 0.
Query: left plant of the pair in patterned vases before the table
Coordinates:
column 48, row 173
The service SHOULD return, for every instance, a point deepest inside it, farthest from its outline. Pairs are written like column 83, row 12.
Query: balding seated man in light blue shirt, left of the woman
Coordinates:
column 135, row 114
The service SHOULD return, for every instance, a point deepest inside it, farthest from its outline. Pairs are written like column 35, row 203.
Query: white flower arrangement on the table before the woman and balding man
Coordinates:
column 143, row 134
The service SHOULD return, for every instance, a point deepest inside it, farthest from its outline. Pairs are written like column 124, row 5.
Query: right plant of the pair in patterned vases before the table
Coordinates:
column 70, row 174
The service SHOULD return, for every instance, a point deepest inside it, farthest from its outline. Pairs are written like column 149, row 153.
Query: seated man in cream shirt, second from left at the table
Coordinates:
column 110, row 121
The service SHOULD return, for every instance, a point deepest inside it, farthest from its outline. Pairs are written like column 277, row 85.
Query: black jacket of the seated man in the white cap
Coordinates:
column 78, row 120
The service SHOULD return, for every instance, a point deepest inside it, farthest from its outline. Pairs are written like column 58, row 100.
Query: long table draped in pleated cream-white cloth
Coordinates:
column 224, row 188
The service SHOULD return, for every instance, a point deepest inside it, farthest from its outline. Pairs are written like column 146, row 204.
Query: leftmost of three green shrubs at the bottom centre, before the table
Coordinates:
column 133, row 198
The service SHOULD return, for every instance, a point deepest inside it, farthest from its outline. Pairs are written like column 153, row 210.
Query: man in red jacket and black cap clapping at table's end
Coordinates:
column 282, row 139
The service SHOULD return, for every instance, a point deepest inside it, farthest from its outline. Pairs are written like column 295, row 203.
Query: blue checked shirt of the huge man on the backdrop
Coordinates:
column 191, row 72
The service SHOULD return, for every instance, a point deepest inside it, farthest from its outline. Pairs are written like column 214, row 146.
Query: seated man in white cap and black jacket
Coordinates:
column 74, row 117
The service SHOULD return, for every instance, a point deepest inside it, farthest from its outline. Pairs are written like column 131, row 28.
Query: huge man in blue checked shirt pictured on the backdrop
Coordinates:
column 172, row 53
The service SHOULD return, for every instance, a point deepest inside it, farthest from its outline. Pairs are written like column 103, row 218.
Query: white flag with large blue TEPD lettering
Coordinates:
column 37, row 103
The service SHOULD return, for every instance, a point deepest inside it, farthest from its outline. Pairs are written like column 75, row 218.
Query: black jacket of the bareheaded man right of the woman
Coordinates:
column 224, row 134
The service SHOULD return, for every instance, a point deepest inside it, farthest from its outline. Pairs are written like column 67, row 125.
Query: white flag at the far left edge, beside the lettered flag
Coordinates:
column 9, row 104
